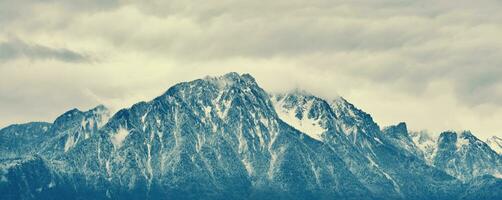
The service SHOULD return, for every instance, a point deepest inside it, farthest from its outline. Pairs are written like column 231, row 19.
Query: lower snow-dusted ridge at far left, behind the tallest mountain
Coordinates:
column 52, row 140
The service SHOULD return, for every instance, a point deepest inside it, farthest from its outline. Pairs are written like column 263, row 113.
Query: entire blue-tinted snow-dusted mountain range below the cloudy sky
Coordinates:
column 226, row 138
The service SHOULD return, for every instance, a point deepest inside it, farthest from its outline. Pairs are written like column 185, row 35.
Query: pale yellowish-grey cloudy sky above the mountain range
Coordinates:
column 434, row 64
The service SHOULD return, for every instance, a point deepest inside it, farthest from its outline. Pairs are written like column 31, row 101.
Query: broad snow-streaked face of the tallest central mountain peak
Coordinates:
column 214, row 137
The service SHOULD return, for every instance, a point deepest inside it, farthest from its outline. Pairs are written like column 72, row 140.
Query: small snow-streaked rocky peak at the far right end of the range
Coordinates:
column 465, row 156
